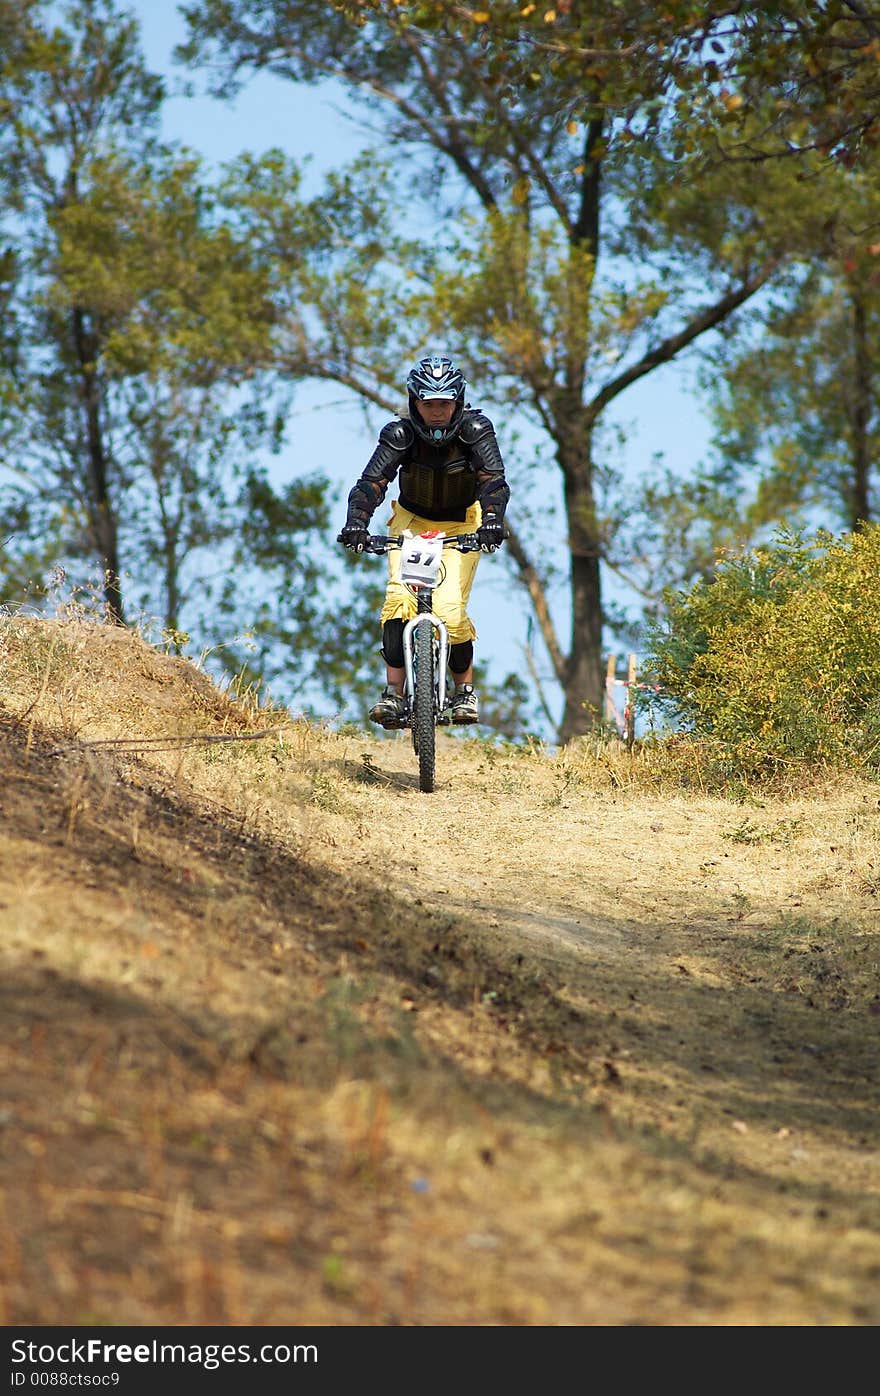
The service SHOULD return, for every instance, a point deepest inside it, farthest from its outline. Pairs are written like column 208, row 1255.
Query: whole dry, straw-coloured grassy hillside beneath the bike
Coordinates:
column 287, row 1042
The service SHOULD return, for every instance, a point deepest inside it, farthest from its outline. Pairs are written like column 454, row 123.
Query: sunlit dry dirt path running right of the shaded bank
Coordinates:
column 720, row 964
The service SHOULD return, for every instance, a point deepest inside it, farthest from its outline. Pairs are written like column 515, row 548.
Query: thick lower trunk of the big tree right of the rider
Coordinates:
column 585, row 685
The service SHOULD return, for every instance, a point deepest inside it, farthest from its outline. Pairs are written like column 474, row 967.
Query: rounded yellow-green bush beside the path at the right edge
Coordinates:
column 777, row 660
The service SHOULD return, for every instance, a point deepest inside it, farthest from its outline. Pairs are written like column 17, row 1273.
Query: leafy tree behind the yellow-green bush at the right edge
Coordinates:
column 794, row 393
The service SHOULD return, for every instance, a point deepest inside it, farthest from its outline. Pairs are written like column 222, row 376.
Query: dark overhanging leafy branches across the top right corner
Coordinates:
column 811, row 66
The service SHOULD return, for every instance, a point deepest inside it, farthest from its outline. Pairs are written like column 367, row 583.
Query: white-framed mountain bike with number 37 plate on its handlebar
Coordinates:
column 427, row 643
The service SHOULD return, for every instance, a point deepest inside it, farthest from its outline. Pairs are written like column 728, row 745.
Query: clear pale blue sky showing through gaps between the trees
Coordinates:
column 329, row 431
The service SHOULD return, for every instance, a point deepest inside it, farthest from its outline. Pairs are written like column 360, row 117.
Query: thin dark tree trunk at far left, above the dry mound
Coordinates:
column 103, row 516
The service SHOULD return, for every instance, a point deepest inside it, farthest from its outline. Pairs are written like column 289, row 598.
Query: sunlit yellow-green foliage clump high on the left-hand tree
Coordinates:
column 152, row 253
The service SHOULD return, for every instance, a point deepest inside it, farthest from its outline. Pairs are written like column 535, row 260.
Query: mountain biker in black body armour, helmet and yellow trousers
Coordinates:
column 452, row 480
